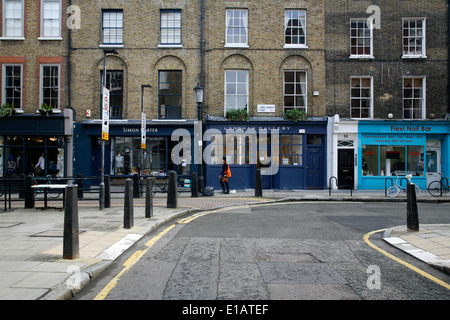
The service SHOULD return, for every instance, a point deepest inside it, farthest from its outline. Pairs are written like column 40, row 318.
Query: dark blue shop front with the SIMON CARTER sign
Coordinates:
column 123, row 154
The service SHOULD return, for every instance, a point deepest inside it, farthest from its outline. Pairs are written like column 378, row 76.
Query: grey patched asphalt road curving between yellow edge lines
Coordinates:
column 288, row 251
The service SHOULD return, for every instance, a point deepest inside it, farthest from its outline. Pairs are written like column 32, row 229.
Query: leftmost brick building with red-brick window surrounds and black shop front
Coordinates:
column 34, row 72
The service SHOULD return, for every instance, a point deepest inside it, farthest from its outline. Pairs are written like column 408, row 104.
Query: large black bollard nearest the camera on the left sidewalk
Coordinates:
column 71, row 247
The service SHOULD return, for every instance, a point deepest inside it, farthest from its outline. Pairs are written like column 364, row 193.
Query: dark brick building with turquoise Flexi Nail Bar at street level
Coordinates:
column 387, row 91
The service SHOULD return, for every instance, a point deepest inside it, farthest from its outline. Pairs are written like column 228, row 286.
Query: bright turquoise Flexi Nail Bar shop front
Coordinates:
column 391, row 149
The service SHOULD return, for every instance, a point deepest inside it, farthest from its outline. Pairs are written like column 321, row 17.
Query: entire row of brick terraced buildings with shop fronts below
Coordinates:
column 351, row 78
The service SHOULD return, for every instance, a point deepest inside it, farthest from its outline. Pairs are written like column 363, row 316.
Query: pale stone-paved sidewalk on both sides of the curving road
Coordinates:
column 31, row 240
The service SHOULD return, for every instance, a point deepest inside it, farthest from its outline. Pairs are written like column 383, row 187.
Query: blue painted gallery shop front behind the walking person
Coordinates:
column 295, row 159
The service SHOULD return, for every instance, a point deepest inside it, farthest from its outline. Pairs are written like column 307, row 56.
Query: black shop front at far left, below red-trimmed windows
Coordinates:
column 35, row 144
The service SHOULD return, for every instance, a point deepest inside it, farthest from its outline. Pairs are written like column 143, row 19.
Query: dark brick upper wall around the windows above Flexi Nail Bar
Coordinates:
column 388, row 67
